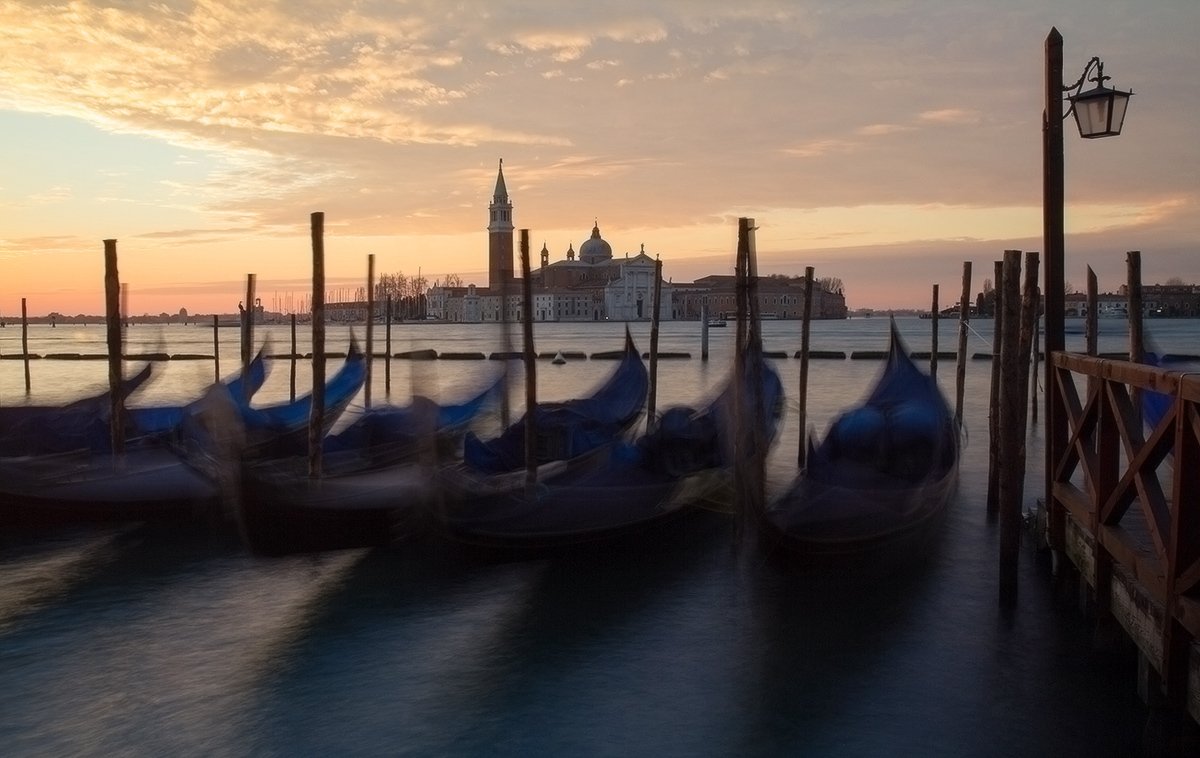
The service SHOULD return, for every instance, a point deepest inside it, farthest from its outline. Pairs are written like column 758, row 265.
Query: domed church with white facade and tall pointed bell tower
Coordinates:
column 591, row 286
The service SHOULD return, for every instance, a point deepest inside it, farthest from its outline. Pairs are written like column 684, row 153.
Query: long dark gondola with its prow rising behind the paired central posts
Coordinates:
column 615, row 491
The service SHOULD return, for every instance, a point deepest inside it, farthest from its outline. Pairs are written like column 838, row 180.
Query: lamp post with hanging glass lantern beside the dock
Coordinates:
column 1100, row 112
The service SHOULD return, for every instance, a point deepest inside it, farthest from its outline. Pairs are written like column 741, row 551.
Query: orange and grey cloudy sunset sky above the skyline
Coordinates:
column 884, row 143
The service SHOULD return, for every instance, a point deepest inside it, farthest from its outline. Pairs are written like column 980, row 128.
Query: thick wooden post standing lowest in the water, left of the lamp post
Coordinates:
column 1012, row 388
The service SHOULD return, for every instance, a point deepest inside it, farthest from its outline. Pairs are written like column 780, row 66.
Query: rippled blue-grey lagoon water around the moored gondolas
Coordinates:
column 152, row 642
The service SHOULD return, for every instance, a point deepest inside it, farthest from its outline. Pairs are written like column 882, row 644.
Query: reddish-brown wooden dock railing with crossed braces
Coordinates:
column 1125, row 506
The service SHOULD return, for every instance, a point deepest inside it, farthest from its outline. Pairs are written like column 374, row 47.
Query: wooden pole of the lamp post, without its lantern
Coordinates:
column 1055, row 282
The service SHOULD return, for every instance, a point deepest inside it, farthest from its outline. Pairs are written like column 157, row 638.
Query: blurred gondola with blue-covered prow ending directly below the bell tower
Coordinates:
column 377, row 484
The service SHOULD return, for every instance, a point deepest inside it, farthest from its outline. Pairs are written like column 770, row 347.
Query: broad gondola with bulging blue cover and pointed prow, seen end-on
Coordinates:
column 881, row 482
